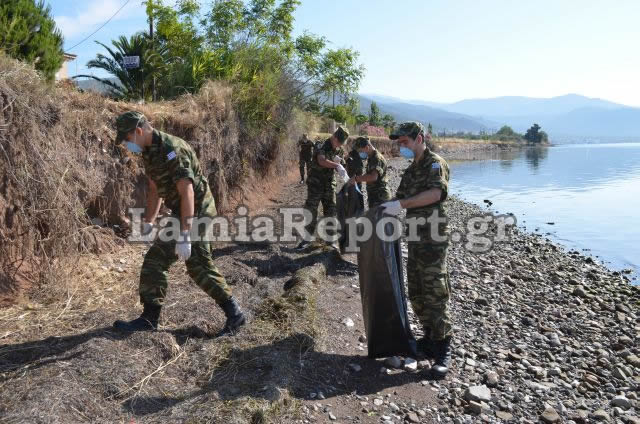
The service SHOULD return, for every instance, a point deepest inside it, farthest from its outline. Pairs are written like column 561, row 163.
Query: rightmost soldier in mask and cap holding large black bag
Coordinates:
column 422, row 191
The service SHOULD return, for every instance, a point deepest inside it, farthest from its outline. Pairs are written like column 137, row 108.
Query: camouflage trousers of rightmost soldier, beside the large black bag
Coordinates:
column 429, row 288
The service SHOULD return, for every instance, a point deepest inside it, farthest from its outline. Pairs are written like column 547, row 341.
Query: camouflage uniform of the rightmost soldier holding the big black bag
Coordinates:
column 427, row 275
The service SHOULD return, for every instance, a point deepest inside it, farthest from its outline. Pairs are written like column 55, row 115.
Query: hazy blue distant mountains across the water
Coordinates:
column 562, row 116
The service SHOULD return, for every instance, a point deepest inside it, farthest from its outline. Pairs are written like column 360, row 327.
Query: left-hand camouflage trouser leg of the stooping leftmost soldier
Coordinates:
column 154, row 272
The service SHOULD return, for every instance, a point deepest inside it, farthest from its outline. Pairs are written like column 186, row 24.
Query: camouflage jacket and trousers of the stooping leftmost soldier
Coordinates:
column 166, row 161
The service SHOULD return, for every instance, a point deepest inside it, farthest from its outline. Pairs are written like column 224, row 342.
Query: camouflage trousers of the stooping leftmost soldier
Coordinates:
column 200, row 267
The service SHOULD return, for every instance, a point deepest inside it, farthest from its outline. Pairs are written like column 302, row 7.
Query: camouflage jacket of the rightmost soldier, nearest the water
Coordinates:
column 431, row 171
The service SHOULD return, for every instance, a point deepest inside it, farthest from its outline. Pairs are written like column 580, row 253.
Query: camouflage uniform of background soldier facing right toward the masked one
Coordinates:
column 321, row 183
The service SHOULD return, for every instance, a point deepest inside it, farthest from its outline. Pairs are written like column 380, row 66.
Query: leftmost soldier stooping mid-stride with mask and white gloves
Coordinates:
column 174, row 174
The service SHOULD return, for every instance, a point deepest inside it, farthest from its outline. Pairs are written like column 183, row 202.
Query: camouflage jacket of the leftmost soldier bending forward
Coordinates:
column 170, row 159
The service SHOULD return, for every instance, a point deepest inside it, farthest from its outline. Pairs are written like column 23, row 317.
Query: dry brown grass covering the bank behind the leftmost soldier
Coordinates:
column 59, row 168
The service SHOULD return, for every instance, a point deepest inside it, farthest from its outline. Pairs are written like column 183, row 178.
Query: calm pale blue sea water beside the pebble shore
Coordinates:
column 591, row 194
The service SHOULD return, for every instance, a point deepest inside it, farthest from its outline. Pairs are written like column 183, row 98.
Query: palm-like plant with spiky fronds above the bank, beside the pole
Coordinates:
column 133, row 83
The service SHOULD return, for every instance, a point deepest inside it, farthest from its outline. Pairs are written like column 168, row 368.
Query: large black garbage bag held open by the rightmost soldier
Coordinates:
column 384, row 304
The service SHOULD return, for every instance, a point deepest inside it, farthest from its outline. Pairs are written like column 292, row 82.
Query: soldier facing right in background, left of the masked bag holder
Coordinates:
column 321, row 182
